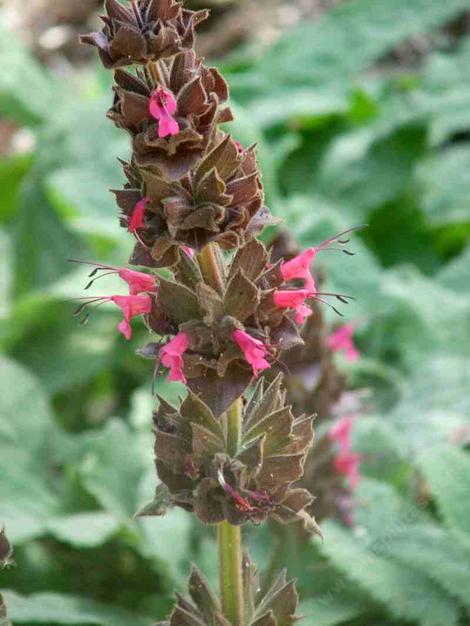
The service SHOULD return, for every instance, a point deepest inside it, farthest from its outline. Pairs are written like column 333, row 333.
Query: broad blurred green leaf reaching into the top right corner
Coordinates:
column 349, row 38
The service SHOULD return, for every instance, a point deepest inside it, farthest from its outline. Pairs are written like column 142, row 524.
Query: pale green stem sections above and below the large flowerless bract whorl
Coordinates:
column 229, row 538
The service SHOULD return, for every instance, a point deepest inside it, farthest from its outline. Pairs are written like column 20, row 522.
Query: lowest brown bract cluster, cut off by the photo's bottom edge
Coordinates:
column 276, row 607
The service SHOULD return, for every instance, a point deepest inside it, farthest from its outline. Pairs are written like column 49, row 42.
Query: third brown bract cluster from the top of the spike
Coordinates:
column 220, row 200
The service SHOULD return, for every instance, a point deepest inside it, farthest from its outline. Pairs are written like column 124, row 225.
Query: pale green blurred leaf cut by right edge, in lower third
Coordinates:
column 447, row 471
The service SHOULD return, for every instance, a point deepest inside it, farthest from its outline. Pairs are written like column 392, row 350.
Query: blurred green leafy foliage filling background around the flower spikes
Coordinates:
column 342, row 141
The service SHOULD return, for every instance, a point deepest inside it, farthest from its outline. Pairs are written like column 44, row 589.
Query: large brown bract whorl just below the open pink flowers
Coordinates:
column 193, row 461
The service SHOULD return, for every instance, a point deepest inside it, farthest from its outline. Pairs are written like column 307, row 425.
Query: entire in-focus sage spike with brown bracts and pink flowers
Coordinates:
column 222, row 312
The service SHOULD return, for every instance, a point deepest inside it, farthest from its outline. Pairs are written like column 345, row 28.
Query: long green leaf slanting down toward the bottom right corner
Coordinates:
column 407, row 594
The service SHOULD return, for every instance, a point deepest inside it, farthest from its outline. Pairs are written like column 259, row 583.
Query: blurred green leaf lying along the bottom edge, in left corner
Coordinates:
column 52, row 608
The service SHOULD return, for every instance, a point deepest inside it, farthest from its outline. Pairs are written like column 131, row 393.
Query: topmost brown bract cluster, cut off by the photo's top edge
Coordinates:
column 143, row 31
